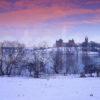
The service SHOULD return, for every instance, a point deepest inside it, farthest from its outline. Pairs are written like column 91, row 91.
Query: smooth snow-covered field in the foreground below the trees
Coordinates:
column 53, row 89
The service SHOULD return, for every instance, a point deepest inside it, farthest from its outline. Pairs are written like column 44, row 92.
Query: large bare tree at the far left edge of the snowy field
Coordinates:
column 10, row 57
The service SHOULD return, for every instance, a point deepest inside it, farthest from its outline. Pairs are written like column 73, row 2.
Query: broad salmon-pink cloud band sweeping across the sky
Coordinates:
column 41, row 15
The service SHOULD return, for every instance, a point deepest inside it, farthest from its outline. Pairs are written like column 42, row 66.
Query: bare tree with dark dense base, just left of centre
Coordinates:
column 37, row 66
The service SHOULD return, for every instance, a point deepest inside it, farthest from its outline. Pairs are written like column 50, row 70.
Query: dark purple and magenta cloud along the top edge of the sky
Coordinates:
column 13, row 5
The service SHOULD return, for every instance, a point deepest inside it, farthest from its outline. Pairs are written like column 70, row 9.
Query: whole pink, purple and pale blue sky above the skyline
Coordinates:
column 35, row 21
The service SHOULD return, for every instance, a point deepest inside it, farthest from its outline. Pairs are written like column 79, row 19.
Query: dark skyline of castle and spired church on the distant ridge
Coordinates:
column 86, row 45
